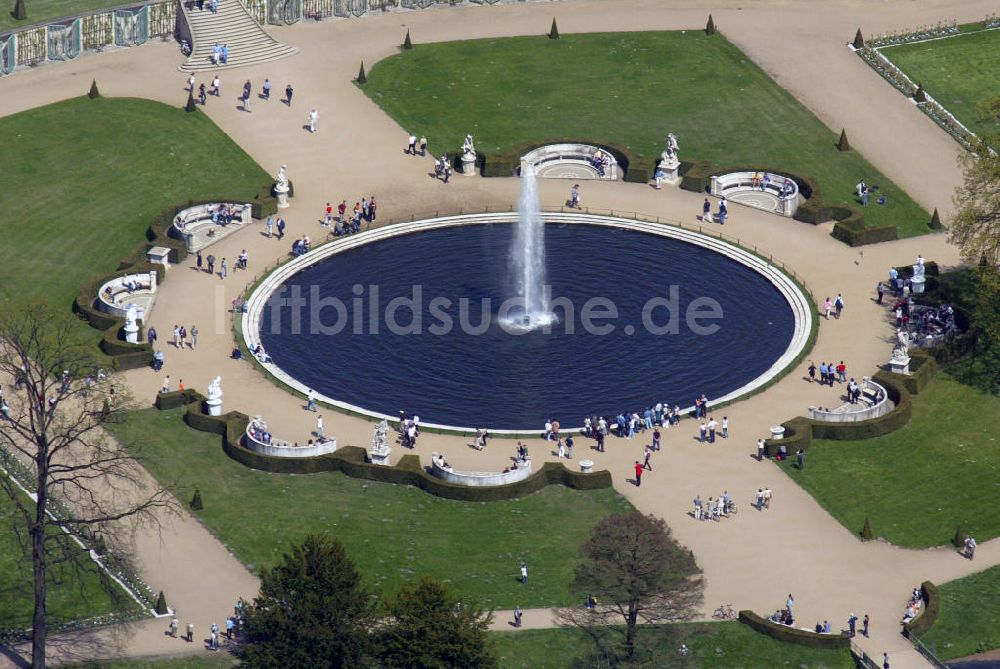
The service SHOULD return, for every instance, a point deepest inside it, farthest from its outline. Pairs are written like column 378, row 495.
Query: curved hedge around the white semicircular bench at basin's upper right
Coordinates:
column 850, row 225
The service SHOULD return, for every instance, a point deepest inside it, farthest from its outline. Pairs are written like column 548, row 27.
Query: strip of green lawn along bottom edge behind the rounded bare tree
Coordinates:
column 712, row 646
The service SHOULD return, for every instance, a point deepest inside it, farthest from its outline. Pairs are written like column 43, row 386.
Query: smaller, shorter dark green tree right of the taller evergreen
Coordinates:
column 429, row 628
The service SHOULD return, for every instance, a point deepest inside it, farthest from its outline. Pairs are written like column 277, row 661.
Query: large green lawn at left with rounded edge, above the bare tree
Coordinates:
column 83, row 178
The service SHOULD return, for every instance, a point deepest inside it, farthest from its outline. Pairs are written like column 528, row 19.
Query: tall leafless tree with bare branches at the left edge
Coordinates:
column 51, row 432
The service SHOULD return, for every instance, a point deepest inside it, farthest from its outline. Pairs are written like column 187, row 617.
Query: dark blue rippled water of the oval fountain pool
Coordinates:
column 504, row 380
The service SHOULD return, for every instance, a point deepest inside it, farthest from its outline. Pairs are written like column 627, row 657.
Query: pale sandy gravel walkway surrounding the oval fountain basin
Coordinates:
column 753, row 560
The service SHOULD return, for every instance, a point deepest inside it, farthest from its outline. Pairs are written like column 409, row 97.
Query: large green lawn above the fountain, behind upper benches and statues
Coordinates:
column 627, row 88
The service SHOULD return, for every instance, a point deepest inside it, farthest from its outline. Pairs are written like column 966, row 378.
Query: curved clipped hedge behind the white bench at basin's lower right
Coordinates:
column 799, row 431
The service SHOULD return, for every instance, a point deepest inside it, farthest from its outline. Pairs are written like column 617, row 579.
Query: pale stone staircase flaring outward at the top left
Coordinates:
column 232, row 24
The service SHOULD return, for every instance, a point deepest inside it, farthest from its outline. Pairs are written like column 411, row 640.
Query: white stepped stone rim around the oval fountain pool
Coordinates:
column 802, row 310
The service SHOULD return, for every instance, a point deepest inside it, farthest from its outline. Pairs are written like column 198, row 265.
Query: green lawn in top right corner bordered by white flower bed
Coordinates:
column 959, row 72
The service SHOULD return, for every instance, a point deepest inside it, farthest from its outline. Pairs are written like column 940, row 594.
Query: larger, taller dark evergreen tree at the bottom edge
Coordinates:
column 312, row 611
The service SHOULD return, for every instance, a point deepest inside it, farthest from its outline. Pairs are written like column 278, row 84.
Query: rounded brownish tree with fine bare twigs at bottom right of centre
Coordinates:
column 633, row 573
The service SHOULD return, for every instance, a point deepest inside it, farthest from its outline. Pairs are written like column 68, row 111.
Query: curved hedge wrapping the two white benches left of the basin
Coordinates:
column 132, row 356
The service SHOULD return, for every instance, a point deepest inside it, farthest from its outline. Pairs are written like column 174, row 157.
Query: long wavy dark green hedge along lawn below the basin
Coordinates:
column 352, row 460
